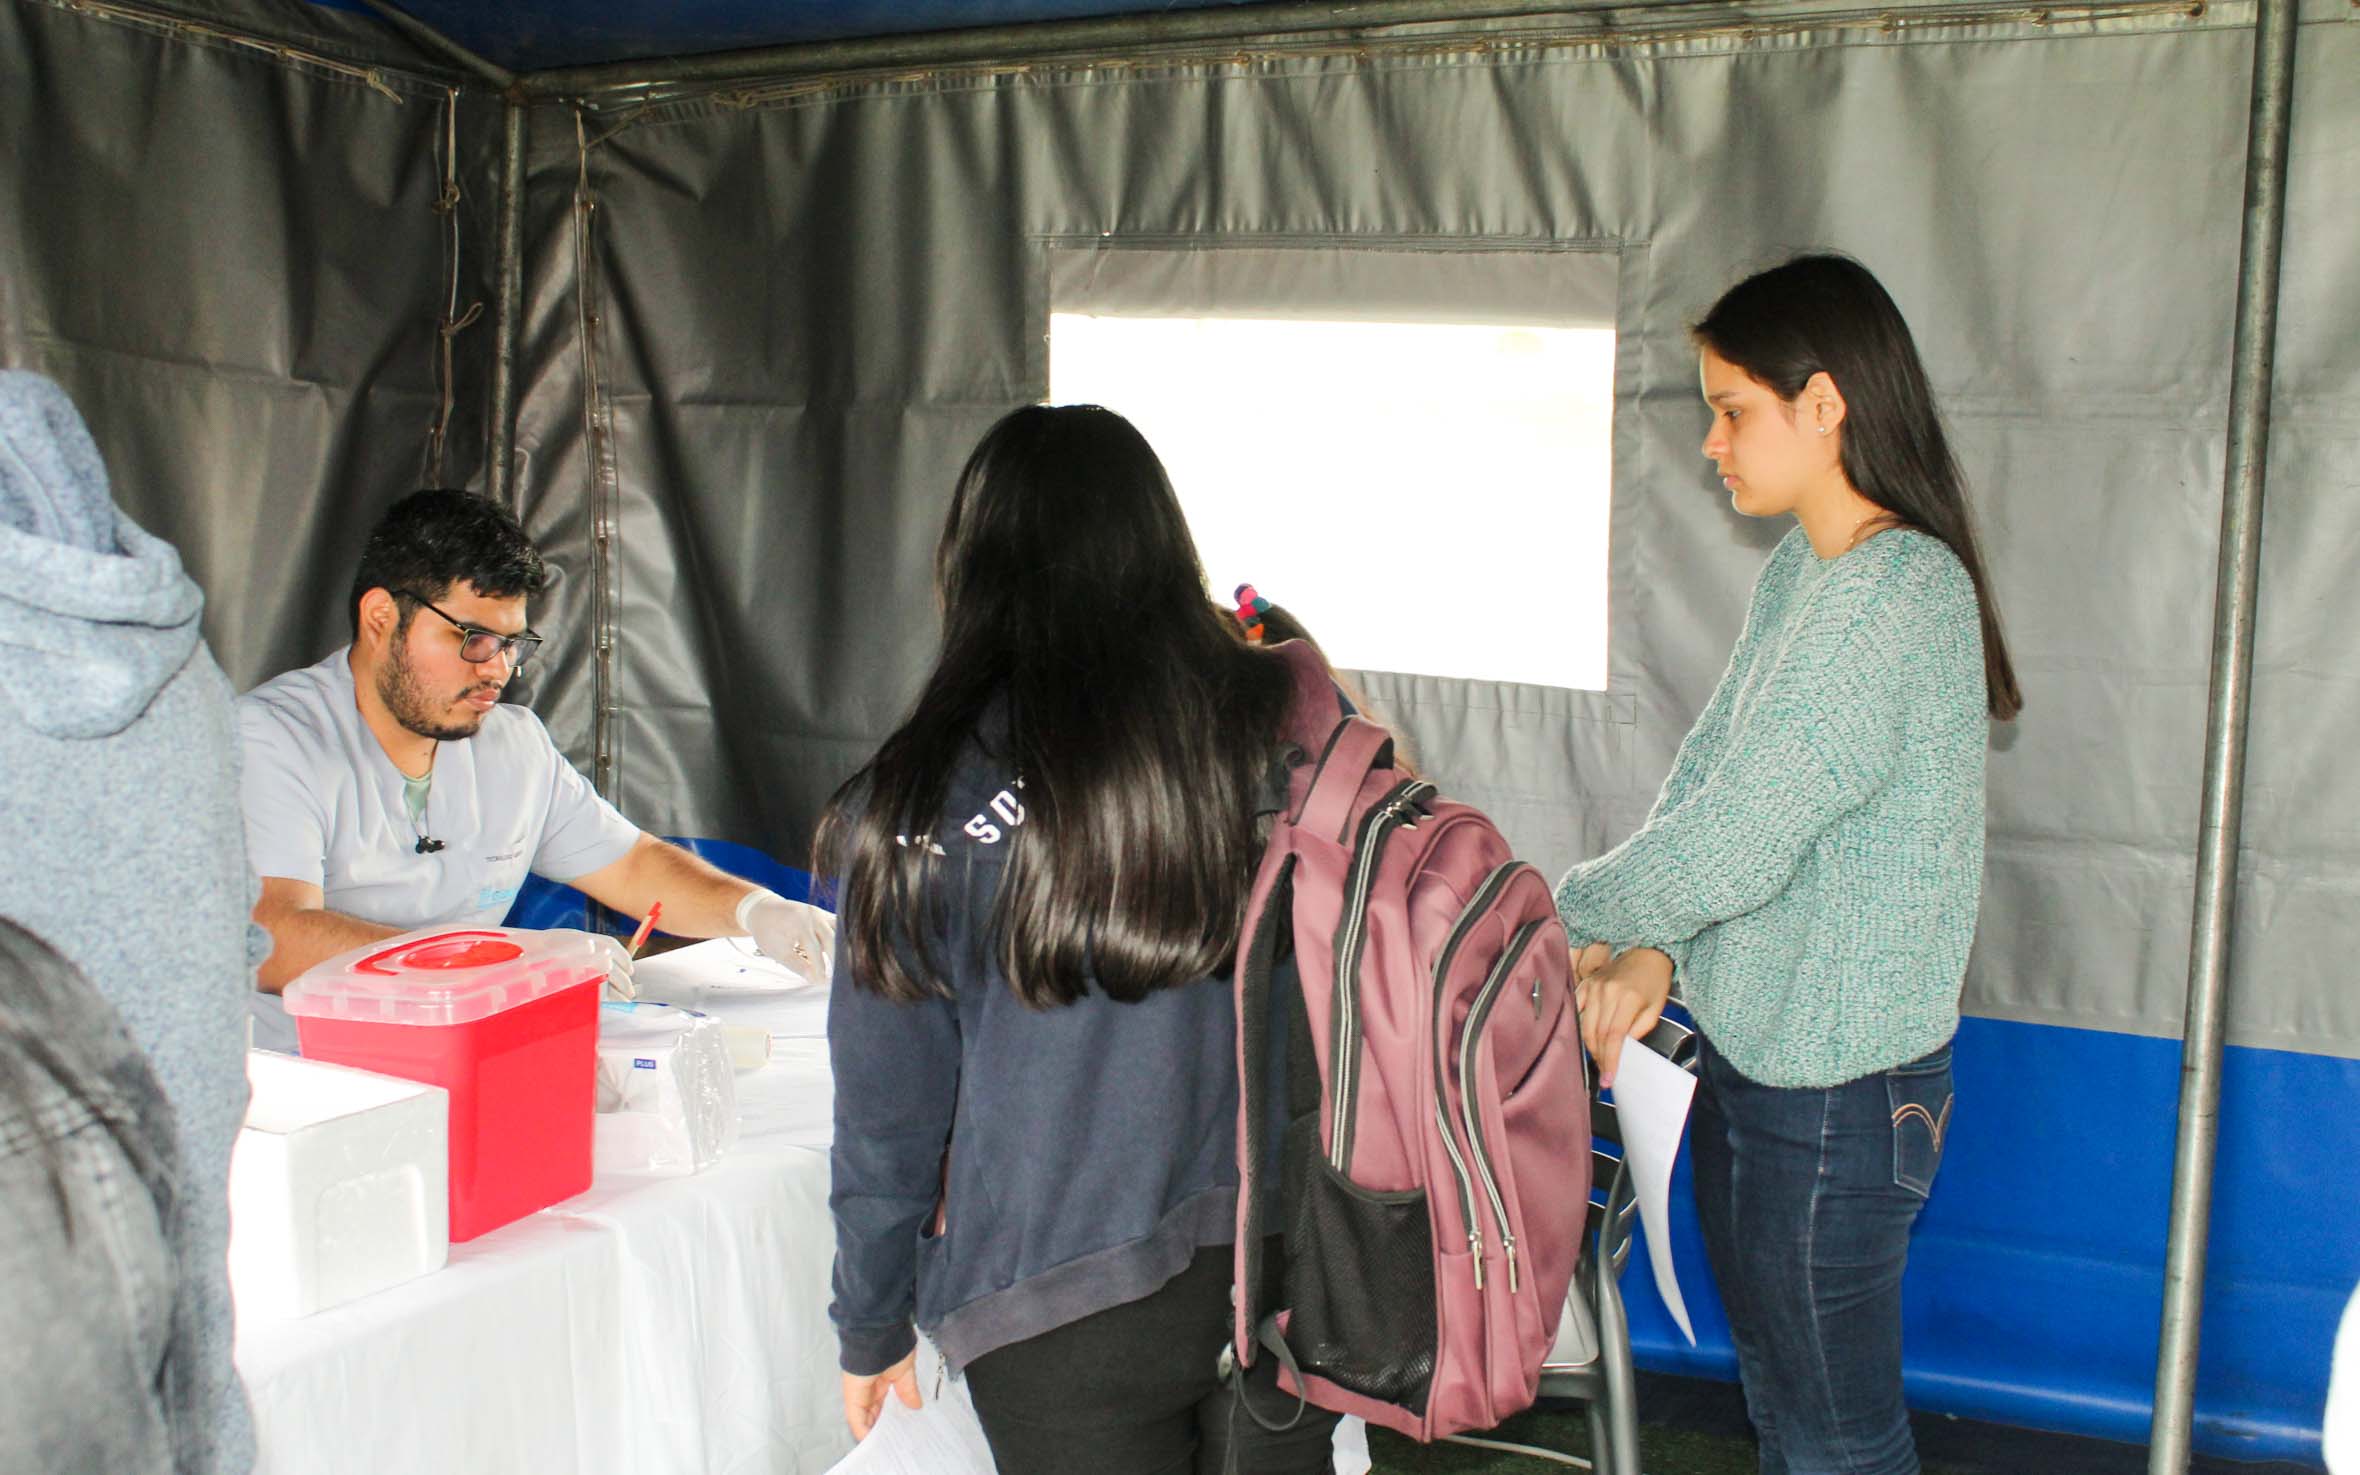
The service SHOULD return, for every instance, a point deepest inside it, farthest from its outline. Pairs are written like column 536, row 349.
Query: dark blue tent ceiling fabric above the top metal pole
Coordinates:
column 535, row 34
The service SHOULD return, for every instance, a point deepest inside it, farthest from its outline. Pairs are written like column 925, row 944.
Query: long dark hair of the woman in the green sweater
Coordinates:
column 1830, row 315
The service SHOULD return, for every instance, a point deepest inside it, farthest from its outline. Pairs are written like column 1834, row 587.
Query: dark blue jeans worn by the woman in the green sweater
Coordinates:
column 1807, row 1200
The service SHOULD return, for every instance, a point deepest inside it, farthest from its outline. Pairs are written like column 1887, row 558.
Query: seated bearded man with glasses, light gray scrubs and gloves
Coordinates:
column 393, row 789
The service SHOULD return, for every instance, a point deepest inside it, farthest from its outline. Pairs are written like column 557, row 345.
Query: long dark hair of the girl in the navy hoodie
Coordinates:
column 1139, row 723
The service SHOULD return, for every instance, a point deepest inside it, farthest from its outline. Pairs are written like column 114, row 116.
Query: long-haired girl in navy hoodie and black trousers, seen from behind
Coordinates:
column 1044, row 872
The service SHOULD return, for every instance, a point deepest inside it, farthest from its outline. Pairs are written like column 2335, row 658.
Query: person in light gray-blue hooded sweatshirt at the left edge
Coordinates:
column 119, row 794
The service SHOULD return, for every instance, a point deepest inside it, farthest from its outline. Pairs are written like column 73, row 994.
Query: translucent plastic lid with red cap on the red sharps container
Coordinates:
column 447, row 976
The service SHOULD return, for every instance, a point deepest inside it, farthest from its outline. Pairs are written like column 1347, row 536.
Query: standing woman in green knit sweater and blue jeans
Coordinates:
column 1811, row 872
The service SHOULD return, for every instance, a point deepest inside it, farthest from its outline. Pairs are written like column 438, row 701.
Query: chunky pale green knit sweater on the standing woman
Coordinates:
column 1816, row 858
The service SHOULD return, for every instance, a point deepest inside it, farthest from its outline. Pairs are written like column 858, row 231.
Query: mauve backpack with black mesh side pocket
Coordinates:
column 1405, row 978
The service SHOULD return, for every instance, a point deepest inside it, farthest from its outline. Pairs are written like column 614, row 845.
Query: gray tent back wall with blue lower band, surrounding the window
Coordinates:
column 794, row 310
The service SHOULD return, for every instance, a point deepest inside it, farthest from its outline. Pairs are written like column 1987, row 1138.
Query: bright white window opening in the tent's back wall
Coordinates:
column 1424, row 497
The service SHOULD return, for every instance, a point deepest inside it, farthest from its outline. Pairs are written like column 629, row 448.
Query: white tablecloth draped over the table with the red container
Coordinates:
column 645, row 1327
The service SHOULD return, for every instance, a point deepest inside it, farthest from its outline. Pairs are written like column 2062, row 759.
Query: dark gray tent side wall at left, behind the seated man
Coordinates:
column 235, row 261
